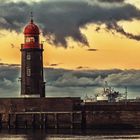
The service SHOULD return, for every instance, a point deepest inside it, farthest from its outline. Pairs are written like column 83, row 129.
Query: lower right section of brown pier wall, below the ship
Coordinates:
column 113, row 115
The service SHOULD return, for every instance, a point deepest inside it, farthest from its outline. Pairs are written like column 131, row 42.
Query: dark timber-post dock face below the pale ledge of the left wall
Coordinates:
column 43, row 120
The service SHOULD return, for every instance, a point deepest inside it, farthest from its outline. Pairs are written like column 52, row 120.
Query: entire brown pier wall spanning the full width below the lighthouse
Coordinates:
column 71, row 113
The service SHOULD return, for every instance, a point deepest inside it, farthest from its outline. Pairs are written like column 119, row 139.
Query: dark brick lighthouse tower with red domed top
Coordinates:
column 32, row 81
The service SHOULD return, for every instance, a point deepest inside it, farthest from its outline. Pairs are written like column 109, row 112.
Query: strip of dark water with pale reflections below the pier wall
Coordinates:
column 70, row 135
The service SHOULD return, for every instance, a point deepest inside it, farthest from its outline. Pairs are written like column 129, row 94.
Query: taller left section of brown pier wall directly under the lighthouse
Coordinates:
column 40, row 113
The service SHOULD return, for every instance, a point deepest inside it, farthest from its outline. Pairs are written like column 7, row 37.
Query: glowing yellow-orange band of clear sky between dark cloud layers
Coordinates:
column 113, row 51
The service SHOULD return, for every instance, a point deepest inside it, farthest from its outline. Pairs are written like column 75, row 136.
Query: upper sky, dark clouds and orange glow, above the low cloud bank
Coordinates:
column 85, row 34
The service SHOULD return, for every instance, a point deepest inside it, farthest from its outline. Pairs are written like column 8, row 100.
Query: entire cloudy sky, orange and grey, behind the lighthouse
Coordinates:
column 79, row 36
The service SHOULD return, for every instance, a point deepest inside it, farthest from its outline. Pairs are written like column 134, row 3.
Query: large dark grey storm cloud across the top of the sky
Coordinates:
column 64, row 18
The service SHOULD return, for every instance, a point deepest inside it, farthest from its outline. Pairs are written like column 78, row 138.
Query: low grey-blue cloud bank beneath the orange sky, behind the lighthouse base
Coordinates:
column 72, row 83
